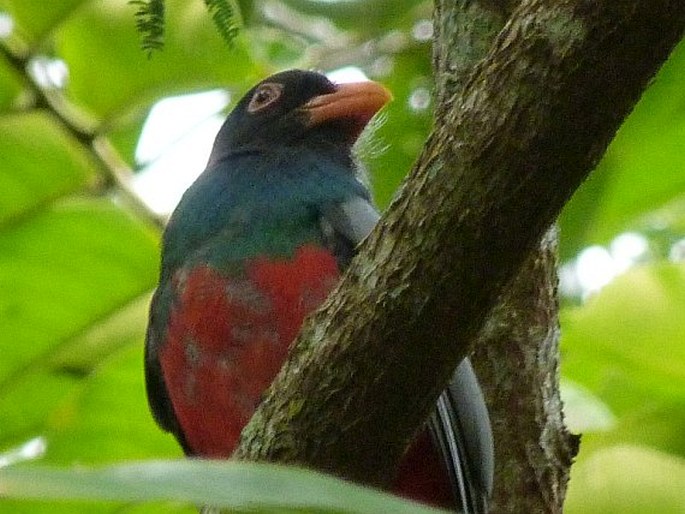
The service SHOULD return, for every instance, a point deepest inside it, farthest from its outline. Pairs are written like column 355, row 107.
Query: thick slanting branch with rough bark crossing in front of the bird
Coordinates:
column 508, row 151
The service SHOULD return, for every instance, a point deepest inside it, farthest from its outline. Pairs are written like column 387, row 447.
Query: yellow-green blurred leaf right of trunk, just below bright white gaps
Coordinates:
column 625, row 347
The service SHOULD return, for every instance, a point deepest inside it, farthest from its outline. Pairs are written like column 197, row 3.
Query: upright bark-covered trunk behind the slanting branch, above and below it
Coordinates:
column 517, row 353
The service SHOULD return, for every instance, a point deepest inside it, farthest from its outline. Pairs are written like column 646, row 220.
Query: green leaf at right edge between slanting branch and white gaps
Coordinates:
column 641, row 171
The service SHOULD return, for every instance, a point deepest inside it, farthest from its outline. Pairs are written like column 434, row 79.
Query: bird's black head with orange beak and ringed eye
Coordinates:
column 299, row 108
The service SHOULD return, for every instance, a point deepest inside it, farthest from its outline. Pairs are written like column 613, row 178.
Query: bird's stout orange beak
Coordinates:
column 357, row 101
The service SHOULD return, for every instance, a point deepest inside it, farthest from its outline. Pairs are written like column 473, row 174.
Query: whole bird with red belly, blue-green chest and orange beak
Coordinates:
column 255, row 244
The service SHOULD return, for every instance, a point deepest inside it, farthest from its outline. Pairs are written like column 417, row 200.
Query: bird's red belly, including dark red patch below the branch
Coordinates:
column 227, row 338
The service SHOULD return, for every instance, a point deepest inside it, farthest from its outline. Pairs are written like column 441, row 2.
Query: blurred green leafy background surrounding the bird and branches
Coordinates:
column 79, row 256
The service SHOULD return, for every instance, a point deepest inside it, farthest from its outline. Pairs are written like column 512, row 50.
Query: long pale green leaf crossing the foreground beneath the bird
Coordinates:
column 241, row 486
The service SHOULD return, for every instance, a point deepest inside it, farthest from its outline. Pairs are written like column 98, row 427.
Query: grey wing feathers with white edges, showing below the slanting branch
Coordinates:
column 460, row 426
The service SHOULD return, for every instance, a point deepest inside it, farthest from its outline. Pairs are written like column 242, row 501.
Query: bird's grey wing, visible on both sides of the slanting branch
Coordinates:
column 460, row 424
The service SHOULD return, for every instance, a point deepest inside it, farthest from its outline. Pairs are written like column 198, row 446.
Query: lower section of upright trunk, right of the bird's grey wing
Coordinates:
column 517, row 361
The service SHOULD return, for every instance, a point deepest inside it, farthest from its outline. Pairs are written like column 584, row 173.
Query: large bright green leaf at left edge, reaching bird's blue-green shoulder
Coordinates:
column 61, row 271
